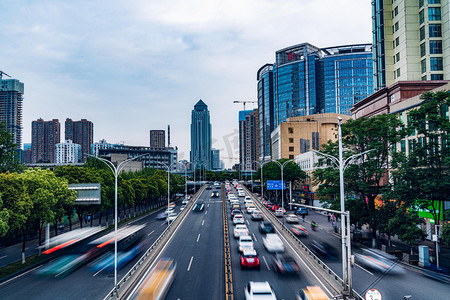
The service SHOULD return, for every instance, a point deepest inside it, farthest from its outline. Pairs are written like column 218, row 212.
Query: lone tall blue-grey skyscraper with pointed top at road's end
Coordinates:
column 201, row 136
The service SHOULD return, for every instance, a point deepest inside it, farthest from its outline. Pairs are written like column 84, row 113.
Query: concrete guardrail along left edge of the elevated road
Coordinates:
column 125, row 285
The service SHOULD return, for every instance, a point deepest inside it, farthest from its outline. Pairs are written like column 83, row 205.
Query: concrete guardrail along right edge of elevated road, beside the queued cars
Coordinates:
column 329, row 275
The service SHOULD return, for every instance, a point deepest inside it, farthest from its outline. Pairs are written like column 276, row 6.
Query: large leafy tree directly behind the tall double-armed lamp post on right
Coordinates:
column 366, row 177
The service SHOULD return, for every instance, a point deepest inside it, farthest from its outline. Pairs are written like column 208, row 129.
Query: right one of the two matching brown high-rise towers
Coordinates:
column 82, row 133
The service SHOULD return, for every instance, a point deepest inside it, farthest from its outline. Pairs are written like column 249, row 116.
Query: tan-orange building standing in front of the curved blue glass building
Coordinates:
column 299, row 135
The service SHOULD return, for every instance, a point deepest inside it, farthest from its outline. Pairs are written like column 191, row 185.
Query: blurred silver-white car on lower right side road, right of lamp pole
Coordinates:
column 378, row 260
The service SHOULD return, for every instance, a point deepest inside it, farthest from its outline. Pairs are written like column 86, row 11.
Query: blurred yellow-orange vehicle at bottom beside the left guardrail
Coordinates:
column 159, row 280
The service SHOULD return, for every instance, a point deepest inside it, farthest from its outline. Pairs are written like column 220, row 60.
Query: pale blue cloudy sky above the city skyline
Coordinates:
column 137, row 65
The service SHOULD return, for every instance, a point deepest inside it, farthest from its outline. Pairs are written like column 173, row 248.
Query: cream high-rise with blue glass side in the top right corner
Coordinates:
column 410, row 40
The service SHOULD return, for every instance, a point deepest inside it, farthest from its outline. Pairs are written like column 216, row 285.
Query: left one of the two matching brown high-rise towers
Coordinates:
column 44, row 137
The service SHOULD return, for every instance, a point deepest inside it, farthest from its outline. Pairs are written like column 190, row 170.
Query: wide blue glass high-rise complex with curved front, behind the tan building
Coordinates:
column 309, row 80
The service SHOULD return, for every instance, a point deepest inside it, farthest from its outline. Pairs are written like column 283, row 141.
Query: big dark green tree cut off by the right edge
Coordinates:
column 422, row 179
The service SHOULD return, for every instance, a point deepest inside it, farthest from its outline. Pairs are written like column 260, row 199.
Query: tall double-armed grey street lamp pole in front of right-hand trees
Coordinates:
column 346, row 270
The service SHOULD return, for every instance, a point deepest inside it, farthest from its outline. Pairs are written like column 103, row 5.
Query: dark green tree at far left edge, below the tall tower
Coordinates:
column 9, row 158
